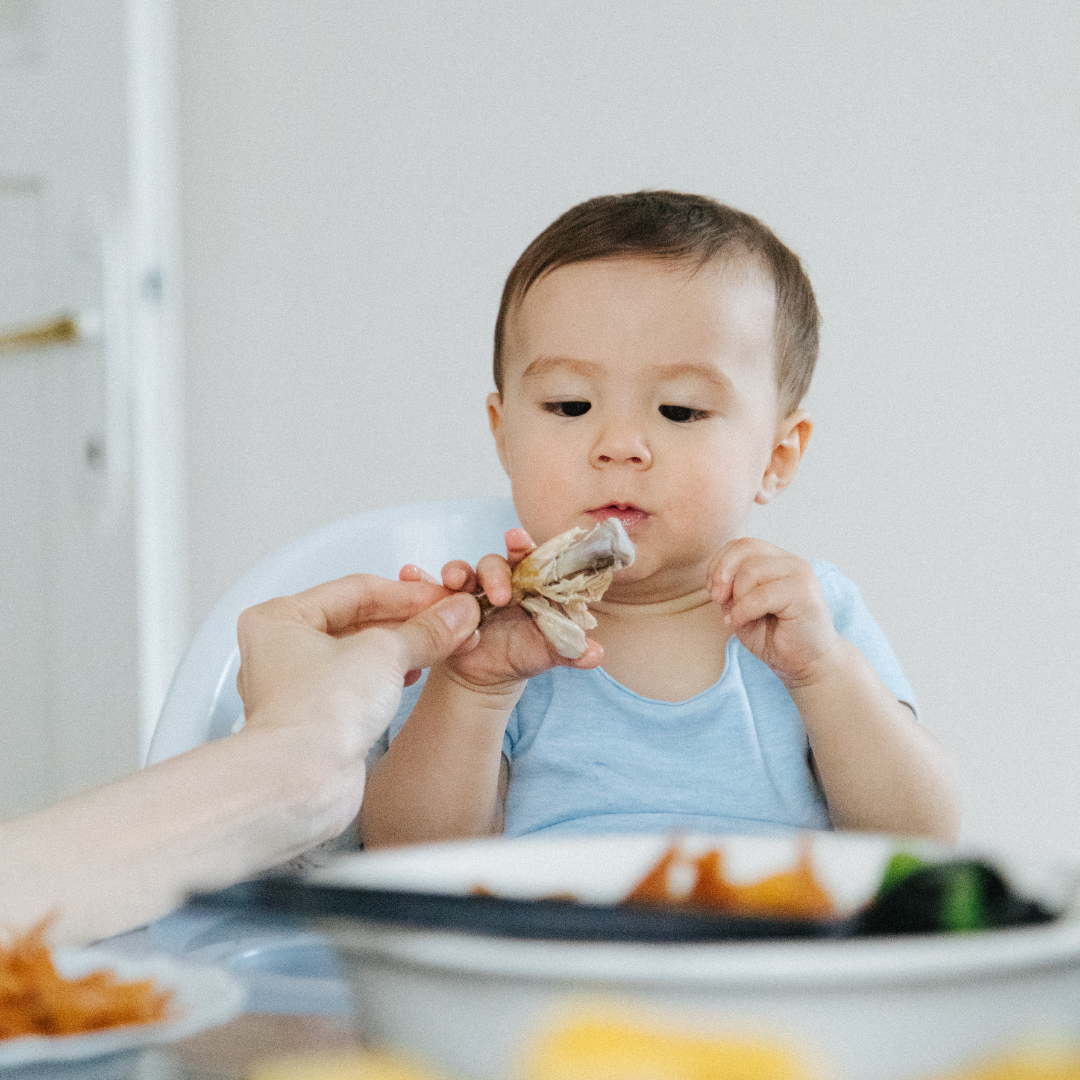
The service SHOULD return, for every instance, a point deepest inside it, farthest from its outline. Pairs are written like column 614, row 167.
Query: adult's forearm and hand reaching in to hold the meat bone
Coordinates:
column 321, row 678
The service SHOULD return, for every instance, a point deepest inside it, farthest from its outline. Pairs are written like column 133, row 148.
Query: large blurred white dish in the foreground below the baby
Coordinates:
column 890, row 1008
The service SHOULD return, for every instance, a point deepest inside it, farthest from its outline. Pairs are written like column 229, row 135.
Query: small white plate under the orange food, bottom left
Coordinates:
column 204, row 997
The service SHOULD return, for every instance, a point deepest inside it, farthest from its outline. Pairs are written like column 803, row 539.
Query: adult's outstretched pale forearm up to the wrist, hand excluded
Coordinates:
column 124, row 855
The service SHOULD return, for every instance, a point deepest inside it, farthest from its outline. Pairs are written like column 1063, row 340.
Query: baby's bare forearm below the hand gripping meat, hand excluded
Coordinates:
column 440, row 778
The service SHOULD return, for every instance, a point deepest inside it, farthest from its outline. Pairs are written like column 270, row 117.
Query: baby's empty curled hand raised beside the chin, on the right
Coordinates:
column 774, row 604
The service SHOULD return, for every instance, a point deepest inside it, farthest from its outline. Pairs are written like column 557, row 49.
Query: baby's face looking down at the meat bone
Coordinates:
column 642, row 390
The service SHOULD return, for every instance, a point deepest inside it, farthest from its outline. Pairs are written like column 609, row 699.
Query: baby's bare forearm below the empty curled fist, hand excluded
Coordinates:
column 881, row 771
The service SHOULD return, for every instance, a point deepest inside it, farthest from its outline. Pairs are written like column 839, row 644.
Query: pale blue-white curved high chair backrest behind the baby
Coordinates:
column 202, row 704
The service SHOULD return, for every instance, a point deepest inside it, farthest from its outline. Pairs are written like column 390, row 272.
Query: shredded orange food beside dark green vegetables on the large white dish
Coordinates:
column 795, row 894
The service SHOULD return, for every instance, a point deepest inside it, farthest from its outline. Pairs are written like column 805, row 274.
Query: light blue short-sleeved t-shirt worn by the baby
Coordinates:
column 588, row 755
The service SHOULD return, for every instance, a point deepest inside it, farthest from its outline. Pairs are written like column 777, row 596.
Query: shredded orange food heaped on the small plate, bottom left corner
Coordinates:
column 36, row 1000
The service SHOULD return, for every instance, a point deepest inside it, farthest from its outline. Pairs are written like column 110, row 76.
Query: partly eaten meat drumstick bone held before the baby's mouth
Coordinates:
column 557, row 583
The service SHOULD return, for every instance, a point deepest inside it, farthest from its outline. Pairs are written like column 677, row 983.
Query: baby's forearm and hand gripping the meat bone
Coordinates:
column 444, row 776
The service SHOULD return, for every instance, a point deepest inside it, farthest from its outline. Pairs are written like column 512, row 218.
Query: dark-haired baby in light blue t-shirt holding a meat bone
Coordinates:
column 651, row 356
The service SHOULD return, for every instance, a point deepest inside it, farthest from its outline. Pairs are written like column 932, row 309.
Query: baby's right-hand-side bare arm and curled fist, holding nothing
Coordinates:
column 880, row 769
